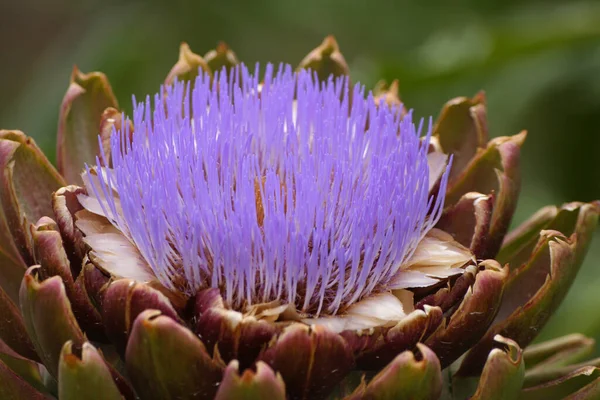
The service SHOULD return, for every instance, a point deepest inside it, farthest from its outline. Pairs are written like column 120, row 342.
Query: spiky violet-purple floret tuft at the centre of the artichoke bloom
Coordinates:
column 285, row 190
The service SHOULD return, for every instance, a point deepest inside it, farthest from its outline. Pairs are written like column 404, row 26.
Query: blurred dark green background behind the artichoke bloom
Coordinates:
column 537, row 60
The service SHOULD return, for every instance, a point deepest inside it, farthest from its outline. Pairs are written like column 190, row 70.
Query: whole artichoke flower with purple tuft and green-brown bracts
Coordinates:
column 279, row 234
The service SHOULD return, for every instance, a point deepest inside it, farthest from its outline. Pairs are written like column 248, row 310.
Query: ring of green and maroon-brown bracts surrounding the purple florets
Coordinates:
column 70, row 329
